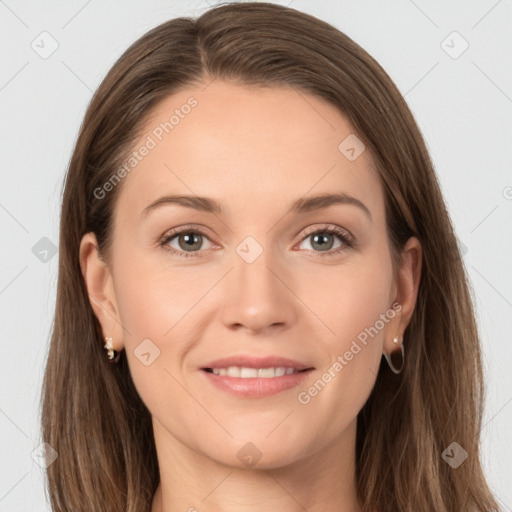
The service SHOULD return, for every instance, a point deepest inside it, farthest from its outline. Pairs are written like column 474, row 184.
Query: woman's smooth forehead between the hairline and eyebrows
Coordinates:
column 250, row 148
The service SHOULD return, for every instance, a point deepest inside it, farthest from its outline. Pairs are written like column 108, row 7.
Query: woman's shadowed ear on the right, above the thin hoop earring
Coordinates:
column 407, row 285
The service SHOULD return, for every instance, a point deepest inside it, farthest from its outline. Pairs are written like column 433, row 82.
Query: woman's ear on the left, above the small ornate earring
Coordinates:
column 98, row 281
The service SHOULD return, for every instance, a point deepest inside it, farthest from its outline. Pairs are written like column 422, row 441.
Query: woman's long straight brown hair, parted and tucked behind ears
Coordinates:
column 91, row 412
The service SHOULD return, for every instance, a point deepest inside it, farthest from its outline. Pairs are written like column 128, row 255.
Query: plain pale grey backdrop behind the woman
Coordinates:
column 463, row 105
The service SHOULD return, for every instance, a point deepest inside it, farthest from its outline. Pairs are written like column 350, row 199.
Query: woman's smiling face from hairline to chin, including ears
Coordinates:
column 260, row 277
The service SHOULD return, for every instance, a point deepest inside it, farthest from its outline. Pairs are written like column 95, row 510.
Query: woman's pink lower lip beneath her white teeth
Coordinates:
column 256, row 387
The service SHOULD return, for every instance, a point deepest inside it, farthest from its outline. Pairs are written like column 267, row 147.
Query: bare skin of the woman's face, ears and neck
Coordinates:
column 255, row 151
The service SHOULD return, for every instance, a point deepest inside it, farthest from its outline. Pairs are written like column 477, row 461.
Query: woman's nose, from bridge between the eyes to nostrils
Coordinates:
column 258, row 293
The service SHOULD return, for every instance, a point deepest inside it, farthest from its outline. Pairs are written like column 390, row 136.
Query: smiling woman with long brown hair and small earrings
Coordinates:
column 278, row 158
